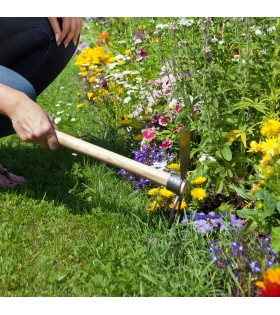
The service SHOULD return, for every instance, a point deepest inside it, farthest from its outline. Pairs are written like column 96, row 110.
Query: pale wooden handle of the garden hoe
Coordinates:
column 151, row 173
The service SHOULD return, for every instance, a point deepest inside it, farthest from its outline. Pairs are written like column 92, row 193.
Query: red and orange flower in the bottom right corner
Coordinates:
column 270, row 286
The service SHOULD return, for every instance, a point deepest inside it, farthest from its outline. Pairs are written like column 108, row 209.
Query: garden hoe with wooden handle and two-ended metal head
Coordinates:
column 172, row 181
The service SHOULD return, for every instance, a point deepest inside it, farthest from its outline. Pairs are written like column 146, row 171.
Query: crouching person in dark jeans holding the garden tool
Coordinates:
column 33, row 53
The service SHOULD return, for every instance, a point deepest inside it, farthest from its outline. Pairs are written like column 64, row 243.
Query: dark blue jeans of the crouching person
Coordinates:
column 29, row 55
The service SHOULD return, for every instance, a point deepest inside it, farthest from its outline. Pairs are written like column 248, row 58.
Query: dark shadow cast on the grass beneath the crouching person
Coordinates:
column 81, row 183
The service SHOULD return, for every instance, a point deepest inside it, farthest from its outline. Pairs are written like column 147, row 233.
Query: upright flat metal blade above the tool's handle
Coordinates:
column 185, row 151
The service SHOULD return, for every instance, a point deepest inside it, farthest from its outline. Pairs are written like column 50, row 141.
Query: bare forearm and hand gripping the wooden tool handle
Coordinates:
column 30, row 121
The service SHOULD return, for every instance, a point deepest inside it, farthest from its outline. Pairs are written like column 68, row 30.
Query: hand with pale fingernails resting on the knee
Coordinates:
column 71, row 29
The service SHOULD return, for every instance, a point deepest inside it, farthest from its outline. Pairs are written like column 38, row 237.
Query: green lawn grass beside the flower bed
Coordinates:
column 77, row 229
